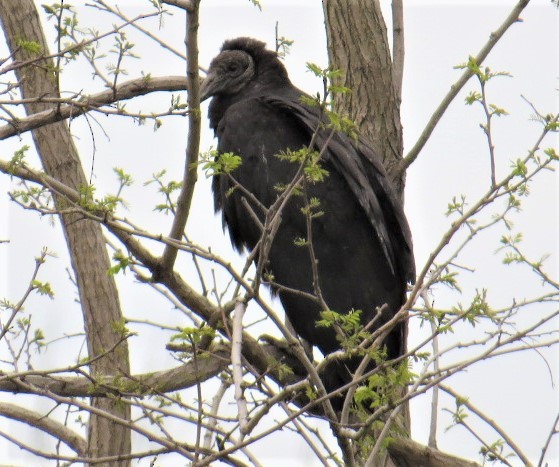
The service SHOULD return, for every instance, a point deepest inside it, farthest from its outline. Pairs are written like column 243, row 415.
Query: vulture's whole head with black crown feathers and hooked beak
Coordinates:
column 242, row 63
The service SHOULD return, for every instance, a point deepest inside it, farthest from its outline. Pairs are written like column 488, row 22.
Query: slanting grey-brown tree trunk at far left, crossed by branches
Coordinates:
column 86, row 244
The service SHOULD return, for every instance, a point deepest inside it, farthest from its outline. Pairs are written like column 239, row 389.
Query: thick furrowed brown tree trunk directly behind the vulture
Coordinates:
column 358, row 45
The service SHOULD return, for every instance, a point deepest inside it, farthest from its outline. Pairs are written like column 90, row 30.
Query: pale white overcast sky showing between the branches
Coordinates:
column 515, row 390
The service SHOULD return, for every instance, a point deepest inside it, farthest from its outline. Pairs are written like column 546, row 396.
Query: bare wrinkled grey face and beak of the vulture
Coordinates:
column 229, row 72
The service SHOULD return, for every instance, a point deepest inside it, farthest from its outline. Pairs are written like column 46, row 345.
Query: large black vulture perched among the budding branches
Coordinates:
column 362, row 242
